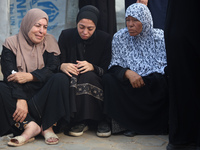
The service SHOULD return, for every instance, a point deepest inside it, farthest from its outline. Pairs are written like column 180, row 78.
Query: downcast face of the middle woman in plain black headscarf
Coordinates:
column 86, row 28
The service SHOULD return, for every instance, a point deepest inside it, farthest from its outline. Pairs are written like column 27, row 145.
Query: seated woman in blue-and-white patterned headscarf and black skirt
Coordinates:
column 135, row 89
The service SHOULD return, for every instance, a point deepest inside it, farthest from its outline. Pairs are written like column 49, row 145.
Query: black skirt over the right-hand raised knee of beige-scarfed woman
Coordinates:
column 51, row 103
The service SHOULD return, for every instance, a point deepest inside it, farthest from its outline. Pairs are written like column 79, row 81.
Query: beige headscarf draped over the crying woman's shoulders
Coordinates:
column 29, row 56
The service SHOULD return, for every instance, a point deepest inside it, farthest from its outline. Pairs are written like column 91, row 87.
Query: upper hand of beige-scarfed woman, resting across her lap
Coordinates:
column 20, row 77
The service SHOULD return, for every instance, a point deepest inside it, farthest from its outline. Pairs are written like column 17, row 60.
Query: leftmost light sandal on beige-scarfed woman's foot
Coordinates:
column 20, row 141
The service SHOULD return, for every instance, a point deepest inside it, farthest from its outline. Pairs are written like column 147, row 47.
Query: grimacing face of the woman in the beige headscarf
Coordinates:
column 38, row 31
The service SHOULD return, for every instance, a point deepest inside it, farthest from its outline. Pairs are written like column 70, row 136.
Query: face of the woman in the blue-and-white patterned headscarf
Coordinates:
column 134, row 26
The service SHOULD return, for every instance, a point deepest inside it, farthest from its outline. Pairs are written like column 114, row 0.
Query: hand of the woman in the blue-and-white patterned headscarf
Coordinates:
column 135, row 79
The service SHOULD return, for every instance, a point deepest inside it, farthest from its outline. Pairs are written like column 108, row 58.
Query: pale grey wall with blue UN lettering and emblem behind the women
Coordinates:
column 61, row 12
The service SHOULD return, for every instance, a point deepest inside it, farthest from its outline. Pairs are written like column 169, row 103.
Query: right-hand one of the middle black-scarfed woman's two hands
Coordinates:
column 84, row 66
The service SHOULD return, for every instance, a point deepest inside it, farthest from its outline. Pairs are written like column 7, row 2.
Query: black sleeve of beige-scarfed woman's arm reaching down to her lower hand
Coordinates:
column 8, row 63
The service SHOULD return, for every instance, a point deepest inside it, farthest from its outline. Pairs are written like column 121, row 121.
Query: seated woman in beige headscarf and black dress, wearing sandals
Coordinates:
column 30, row 96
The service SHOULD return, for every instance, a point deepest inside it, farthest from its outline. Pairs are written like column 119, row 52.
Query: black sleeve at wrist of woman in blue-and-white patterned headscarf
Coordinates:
column 118, row 72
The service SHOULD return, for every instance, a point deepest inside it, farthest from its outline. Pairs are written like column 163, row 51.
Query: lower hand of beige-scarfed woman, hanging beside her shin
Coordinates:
column 21, row 110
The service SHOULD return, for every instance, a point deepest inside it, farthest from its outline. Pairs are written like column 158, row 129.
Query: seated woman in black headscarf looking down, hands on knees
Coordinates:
column 85, row 56
